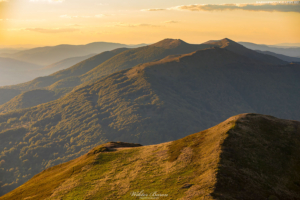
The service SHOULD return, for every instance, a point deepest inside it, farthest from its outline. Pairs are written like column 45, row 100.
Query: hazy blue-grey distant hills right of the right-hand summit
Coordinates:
column 287, row 51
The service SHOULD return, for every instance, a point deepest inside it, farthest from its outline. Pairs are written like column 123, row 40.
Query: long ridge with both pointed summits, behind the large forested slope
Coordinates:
column 109, row 62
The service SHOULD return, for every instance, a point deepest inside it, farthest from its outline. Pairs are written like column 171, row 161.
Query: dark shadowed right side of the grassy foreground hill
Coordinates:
column 260, row 160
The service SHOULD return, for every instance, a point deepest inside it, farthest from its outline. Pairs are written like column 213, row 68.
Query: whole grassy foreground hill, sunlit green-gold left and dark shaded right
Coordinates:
column 248, row 156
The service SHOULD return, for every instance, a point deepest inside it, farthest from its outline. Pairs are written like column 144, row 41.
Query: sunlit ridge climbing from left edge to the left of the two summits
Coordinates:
column 98, row 67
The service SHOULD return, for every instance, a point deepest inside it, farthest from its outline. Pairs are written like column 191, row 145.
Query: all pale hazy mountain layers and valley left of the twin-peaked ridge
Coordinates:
column 19, row 65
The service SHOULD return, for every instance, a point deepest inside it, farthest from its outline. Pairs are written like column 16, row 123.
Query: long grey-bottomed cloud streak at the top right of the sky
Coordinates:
column 268, row 7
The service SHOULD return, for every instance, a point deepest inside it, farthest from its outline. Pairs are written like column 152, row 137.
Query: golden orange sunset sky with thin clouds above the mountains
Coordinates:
column 25, row 23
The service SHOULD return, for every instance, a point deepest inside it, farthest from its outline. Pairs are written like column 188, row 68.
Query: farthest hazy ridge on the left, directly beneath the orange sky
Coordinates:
column 52, row 54
